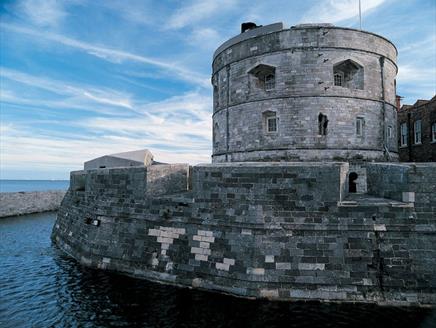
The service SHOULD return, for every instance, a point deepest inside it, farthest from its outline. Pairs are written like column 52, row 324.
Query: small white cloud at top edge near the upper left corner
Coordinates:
column 43, row 12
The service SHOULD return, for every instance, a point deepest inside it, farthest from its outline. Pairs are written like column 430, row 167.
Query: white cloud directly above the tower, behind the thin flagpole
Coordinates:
column 333, row 11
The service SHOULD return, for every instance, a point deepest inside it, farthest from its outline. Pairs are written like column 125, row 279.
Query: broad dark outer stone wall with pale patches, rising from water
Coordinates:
column 281, row 231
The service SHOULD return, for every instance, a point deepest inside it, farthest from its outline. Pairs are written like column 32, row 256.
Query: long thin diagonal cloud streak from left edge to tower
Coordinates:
column 114, row 55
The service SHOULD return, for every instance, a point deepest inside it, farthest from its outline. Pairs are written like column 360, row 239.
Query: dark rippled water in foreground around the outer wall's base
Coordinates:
column 40, row 287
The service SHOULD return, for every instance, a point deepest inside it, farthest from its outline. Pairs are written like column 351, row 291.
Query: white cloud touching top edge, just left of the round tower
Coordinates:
column 196, row 11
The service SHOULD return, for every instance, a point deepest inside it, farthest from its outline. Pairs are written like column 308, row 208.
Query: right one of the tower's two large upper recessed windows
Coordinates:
column 348, row 74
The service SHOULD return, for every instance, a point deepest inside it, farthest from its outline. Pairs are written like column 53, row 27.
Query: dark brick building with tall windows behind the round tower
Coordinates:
column 417, row 131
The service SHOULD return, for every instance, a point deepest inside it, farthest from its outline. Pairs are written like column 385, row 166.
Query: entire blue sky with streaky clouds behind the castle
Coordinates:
column 81, row 79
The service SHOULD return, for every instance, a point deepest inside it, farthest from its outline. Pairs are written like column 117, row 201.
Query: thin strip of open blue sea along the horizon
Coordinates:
column 32, row 185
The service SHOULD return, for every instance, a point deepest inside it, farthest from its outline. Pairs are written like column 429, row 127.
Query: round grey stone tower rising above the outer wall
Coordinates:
column 313, row 92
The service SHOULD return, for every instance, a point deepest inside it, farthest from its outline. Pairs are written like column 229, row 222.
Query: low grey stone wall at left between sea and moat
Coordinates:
column 20, row 203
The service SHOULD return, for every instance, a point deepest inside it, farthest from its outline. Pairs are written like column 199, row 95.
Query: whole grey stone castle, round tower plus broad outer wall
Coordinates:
column 304, row 199
